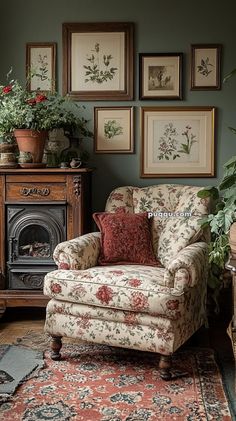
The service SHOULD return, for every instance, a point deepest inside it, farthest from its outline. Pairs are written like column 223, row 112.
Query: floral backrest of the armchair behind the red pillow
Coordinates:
column 176, row 212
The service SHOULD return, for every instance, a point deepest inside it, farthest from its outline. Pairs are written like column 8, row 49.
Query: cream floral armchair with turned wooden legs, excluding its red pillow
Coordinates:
column 134, row 306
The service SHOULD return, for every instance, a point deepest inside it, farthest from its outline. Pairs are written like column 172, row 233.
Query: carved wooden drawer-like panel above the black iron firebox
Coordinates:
column 35, row 192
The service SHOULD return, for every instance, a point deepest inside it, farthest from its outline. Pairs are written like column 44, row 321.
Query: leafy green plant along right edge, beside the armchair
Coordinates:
column 222, row 221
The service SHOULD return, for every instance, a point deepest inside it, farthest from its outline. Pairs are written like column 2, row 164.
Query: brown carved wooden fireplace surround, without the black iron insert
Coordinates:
column 66, row 187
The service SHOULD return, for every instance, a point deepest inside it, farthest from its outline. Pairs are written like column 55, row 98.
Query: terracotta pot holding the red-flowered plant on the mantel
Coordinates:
column 31, row 141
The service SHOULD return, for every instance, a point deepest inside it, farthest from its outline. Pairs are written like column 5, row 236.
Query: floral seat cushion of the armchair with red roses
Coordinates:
column 134, row 288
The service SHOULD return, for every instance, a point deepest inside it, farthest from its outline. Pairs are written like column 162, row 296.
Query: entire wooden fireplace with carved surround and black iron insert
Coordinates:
column 38, row 209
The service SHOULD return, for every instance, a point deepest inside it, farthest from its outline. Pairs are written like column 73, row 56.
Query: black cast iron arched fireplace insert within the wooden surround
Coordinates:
column 33, row 231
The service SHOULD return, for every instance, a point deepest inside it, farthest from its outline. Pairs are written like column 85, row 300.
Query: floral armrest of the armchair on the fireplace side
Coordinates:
column 80, row 253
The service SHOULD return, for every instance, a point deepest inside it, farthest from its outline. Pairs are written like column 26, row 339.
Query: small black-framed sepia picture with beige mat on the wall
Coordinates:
column 160, row 76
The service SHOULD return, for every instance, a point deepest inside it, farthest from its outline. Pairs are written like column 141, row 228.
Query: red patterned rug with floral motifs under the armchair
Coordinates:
column 100, row 383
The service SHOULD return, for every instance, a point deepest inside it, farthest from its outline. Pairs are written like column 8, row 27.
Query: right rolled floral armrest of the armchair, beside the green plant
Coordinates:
column 188, row 267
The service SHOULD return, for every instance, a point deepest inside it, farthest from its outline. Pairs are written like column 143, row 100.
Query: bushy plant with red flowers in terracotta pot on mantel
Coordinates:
column 29, row 116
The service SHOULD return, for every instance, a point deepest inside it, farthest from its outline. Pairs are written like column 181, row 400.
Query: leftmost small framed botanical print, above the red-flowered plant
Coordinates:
column 40, row 66
